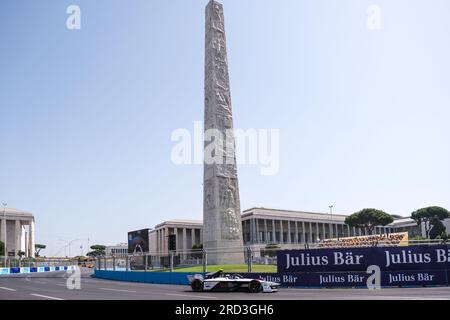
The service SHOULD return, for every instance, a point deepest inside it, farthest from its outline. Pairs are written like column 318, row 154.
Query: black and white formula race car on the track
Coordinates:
column 220, row 282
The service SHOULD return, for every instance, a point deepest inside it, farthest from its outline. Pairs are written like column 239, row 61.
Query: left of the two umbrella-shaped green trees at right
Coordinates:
column 368, row 219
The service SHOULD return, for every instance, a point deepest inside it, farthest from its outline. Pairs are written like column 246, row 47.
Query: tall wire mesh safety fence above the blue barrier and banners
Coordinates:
column 255, row 258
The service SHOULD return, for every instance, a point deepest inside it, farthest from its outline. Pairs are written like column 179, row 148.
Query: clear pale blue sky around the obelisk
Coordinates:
column 86, row 116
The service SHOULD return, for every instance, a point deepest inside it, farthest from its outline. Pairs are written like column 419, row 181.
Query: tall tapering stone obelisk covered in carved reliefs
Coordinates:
column 222, row 236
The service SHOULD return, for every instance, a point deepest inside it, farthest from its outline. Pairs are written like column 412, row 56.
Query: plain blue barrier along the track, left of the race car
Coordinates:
column 147, row 277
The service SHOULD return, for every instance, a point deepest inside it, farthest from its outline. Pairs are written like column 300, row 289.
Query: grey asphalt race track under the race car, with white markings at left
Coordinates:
column 53, row 286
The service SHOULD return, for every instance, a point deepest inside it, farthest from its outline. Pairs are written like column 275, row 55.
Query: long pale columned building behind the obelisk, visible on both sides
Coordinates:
column 262, row 226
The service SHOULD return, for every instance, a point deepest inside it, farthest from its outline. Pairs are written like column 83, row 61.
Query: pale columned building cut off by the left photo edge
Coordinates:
column 19, row 227
